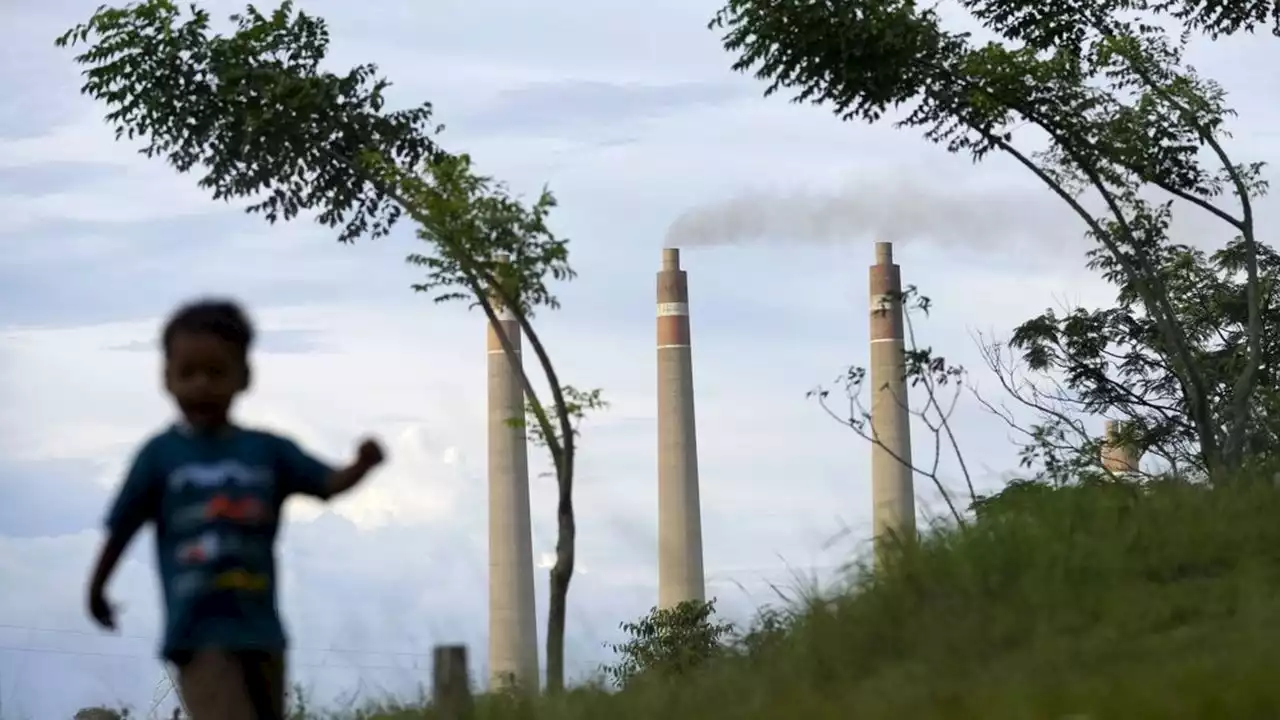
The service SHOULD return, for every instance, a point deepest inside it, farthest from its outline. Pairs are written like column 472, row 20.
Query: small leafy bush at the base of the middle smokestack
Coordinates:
column 669, row 642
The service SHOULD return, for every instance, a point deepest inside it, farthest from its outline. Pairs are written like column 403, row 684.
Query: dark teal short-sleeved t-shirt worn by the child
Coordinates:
column 216, row 503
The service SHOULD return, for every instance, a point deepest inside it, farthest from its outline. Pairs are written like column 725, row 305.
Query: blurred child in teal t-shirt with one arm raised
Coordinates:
column 214, row 493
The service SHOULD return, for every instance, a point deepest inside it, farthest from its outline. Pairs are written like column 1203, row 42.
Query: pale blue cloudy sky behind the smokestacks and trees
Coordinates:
column 630, row 115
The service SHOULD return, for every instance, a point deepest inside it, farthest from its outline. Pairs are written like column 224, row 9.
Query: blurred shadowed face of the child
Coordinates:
column 204, row 375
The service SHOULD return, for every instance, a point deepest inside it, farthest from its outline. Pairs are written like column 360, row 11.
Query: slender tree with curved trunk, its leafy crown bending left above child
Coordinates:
column 257, row 119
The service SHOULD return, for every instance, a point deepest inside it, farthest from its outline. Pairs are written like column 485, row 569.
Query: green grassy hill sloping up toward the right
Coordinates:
column 1087, row 603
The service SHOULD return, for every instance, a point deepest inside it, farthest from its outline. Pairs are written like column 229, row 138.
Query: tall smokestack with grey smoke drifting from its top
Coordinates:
column 680, row 526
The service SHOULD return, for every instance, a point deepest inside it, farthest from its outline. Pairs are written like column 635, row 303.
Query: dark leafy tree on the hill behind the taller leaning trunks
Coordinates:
column 1067, row 366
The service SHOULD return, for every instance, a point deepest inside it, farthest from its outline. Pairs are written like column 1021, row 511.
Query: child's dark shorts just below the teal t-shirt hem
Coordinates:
column 222, row 685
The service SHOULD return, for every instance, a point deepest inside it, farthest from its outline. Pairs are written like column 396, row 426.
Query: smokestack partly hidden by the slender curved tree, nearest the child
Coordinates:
column 513, row 630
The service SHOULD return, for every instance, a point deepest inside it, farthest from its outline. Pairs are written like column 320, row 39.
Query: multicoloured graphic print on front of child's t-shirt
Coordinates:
column 228, row 523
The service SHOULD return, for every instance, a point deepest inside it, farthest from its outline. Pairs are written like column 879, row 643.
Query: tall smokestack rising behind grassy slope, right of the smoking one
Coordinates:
column 893, row 487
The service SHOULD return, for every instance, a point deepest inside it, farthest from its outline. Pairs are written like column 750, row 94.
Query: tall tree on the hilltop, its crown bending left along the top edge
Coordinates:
column 1103, row 88
